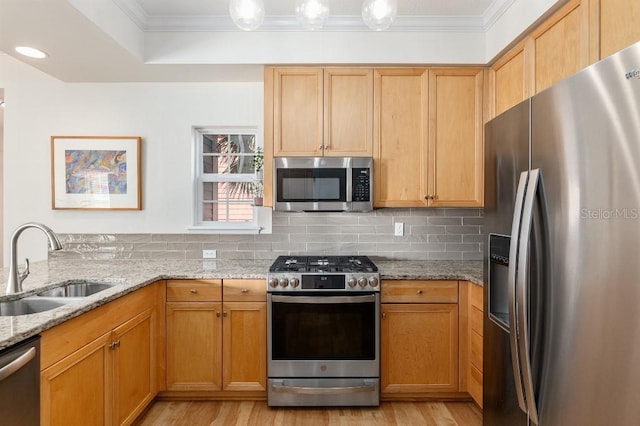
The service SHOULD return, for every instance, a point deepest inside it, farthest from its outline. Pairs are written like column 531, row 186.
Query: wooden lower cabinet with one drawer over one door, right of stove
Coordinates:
column 419, row 337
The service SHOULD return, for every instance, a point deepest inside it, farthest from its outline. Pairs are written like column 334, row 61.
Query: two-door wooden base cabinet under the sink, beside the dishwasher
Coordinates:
column 105, row 380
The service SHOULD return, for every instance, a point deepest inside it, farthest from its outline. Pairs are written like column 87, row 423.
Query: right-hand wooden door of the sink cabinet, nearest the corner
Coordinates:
column 134, row 366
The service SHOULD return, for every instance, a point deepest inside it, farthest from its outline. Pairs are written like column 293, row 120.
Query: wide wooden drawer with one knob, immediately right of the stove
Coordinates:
column 417, row 291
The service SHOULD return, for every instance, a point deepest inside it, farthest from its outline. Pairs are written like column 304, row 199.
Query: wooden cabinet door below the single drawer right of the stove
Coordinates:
column 419, row 348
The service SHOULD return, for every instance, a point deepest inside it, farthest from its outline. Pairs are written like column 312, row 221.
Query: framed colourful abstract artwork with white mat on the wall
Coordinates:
column 96, row 172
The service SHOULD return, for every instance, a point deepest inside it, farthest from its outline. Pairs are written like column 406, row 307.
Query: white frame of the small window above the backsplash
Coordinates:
column 199, row 178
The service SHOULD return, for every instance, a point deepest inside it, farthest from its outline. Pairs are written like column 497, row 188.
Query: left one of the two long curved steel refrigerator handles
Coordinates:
column 511, row 276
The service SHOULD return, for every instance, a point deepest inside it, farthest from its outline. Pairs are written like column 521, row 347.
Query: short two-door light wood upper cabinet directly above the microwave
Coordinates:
column 318, row 111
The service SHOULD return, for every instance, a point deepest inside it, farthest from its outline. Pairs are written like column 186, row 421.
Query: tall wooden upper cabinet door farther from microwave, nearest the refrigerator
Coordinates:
column 456, row 172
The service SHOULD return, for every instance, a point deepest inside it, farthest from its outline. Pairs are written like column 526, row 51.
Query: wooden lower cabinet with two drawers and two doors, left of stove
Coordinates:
column 217, row 345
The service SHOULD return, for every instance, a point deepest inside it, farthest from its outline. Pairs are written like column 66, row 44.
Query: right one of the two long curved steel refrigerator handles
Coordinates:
column 521, row 290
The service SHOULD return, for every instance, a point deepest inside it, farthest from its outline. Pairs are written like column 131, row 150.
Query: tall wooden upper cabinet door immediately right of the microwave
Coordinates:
column 400, row 137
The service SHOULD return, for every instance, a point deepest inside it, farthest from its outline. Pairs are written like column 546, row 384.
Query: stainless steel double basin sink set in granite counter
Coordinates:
column 53, row 298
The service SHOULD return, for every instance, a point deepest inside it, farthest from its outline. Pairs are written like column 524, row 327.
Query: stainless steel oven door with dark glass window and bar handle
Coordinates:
column 323, row 335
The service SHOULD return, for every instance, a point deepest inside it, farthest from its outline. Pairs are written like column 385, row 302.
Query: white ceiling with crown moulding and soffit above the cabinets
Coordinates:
column 196, row 41
